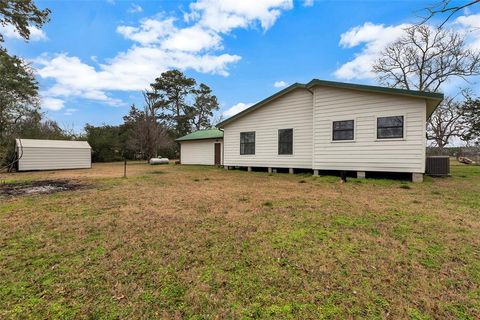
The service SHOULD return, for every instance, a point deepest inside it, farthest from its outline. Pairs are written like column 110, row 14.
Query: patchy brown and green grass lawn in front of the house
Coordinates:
column 192, row 242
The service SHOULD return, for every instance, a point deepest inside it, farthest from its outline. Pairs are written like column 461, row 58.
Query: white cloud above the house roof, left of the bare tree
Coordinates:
column 373, row 37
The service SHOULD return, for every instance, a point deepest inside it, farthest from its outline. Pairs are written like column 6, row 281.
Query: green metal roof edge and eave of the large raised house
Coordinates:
column 433, row 99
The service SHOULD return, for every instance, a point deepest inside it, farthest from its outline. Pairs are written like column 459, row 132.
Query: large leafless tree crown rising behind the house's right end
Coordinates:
column 425, row 58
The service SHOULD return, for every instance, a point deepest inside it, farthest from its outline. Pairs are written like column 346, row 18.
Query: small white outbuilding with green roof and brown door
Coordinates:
column 202, row 147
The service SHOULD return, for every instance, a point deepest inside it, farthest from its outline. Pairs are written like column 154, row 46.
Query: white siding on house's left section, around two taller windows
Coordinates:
column 293, row 110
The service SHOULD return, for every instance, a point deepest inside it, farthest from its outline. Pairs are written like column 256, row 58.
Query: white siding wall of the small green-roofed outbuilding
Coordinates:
column 199, row 151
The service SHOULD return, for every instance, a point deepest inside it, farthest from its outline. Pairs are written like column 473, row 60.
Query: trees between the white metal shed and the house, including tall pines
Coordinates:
column 173, row 106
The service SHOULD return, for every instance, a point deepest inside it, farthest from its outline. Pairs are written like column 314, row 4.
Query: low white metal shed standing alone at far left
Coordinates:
column 35, row 154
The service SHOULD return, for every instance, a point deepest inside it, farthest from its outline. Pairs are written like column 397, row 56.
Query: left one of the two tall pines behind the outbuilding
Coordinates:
column 169, row 93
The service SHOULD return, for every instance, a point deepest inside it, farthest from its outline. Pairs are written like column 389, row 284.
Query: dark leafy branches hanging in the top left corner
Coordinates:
column 22, row 14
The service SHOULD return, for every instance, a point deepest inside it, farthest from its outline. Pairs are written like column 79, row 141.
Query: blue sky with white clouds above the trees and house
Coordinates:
column 94, row 57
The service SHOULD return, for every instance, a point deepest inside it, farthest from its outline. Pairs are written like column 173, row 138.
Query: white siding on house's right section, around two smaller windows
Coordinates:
column 367, row 153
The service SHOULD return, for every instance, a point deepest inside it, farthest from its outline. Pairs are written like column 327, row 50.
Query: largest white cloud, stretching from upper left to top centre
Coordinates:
column 159, row 45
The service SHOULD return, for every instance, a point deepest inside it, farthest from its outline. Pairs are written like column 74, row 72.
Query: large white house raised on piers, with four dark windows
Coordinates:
column 325, row 125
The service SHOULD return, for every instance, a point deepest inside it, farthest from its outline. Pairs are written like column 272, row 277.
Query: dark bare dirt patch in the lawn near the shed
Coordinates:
column 39, row 187
